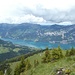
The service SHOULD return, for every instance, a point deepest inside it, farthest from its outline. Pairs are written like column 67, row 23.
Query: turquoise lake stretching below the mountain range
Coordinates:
column 37, row 44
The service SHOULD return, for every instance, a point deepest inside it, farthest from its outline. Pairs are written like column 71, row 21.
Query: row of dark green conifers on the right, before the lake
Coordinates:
column 56, row 54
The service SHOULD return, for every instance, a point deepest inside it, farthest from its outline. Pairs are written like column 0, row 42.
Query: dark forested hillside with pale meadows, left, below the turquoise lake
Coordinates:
column 9, row 50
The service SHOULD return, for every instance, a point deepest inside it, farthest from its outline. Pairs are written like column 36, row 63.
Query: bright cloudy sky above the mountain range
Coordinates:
column 37, row 11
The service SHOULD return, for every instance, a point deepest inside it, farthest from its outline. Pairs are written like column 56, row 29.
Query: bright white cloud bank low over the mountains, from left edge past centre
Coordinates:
column 25, row 18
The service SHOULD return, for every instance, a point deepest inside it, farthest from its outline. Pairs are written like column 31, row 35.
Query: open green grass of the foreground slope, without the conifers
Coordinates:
column 67, row 63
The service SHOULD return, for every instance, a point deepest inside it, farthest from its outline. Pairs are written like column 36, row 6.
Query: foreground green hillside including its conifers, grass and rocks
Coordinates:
column 47, row 62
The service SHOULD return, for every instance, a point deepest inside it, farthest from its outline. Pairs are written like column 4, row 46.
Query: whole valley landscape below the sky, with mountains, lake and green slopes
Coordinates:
column 31, row 49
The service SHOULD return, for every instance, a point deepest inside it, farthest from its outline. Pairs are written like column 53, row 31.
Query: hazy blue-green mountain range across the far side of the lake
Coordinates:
column 39, row 33
